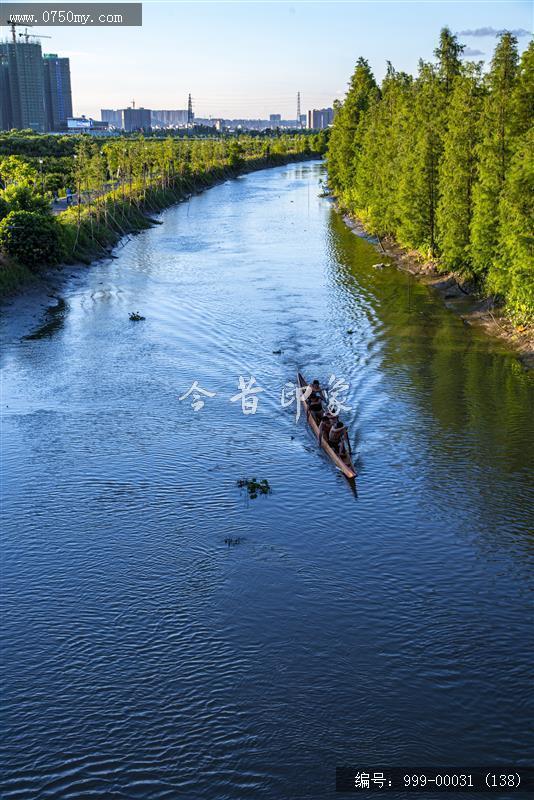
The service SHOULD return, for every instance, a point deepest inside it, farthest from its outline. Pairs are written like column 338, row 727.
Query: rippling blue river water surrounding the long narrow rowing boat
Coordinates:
column 166, row 636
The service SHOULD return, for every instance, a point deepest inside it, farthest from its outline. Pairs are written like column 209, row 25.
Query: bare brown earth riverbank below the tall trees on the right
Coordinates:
column 457, row 295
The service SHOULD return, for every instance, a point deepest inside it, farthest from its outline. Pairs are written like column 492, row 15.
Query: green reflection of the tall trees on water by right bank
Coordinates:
column 467, row 380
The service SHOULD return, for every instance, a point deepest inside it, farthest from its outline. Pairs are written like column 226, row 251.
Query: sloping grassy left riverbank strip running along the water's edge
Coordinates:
column 92, row 235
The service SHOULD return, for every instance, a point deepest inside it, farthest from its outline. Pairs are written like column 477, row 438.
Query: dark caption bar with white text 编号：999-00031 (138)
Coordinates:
column 493, row 780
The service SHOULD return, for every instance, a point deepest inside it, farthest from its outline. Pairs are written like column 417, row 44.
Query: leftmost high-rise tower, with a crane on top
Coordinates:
column 23, row 86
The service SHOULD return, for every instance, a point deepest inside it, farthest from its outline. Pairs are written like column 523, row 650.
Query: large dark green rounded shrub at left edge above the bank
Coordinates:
column 31, row 238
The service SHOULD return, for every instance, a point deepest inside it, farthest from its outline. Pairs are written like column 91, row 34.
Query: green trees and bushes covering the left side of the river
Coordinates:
column 114, row 186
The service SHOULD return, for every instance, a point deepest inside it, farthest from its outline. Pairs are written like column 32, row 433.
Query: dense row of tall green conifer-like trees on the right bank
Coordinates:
column 443, row 162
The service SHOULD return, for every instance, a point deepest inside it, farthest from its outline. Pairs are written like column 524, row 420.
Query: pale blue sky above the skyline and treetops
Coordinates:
column 248, row 59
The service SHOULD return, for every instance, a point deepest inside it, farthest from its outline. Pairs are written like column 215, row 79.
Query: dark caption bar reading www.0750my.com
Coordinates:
column 72, row 14
